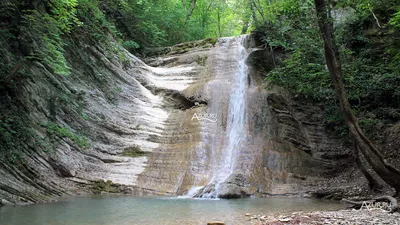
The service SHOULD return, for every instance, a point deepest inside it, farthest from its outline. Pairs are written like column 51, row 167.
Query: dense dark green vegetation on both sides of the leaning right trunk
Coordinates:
column 367, row 33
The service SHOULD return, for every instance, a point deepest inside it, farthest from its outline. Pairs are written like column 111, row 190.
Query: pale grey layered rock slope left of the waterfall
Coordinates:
column 124, row 107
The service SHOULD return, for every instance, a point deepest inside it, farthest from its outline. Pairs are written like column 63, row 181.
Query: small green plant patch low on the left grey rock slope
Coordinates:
column 56, row 130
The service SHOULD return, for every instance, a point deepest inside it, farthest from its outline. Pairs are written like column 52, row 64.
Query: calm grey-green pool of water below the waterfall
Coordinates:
column 124, row 210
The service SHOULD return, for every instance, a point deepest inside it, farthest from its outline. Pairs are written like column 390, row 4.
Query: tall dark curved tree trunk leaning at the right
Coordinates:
column 386, row 171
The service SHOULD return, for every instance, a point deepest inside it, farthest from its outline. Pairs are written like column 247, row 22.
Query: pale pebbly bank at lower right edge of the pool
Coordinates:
column 342, row 217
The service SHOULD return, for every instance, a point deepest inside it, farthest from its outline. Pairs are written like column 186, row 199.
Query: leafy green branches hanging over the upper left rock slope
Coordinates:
column 46, row 30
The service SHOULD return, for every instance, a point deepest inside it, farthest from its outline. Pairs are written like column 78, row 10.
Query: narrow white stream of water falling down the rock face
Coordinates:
column 236, row 127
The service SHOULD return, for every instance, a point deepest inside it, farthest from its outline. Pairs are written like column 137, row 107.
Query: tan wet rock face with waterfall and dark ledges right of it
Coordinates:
column 261, row 142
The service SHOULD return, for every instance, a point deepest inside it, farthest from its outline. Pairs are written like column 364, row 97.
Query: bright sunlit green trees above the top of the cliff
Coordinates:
column 160, row 23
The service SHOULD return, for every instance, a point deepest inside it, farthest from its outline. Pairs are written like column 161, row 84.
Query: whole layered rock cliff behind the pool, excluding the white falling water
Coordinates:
column 138, row 119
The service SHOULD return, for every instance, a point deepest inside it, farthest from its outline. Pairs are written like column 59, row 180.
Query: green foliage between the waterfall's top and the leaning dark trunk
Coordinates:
column 291, row 26
